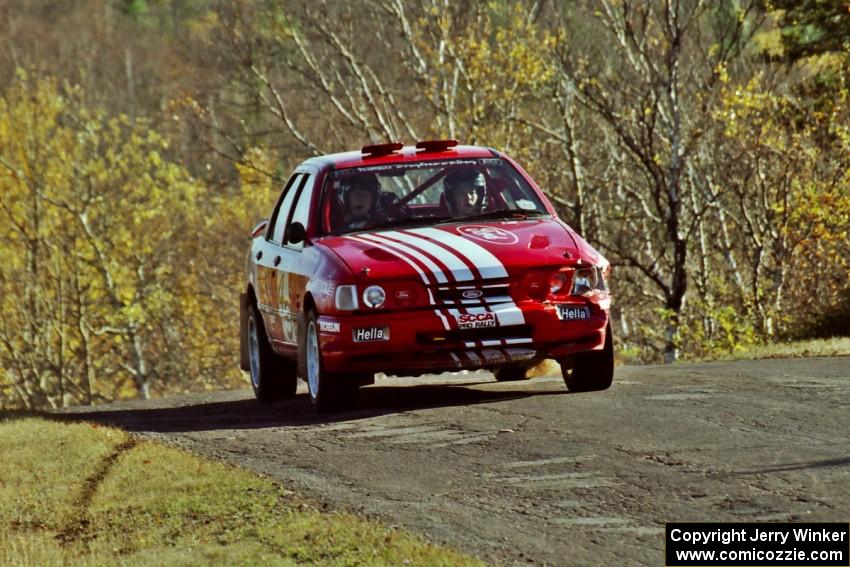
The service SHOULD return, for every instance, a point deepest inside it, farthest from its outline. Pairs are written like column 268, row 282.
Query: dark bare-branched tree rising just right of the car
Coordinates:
column 654, row 96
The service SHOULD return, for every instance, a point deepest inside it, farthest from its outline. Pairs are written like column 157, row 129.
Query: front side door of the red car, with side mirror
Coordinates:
column 293, row 272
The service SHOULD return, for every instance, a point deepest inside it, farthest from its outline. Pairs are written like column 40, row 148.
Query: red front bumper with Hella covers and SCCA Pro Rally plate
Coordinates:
column 429, row 340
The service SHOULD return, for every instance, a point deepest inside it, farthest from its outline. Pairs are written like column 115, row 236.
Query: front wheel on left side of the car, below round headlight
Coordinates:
column 329, row 391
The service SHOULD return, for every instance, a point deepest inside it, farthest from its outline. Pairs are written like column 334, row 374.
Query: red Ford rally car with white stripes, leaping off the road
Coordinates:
column 410, row 260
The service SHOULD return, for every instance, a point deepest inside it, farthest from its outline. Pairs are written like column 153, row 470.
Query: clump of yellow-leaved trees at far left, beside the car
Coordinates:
column 98, row 297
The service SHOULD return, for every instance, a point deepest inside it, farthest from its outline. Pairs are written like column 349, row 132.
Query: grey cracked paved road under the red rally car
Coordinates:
column 526, row 473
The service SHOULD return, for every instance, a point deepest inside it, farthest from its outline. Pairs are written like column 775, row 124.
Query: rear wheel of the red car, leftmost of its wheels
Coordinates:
column 273, row 377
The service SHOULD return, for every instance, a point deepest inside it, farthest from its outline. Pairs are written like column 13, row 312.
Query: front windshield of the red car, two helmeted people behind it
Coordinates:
column 424, row 193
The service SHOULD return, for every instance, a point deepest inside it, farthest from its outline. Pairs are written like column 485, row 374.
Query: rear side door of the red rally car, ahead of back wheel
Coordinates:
column 267, row 259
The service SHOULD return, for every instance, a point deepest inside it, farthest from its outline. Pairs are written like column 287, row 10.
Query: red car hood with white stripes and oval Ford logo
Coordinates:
column 458, row 252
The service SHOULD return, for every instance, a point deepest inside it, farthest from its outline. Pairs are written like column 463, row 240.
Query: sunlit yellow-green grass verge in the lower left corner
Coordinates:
column 81, row 494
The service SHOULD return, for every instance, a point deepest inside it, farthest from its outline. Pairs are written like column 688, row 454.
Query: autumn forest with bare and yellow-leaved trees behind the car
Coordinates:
column 702, row 146
